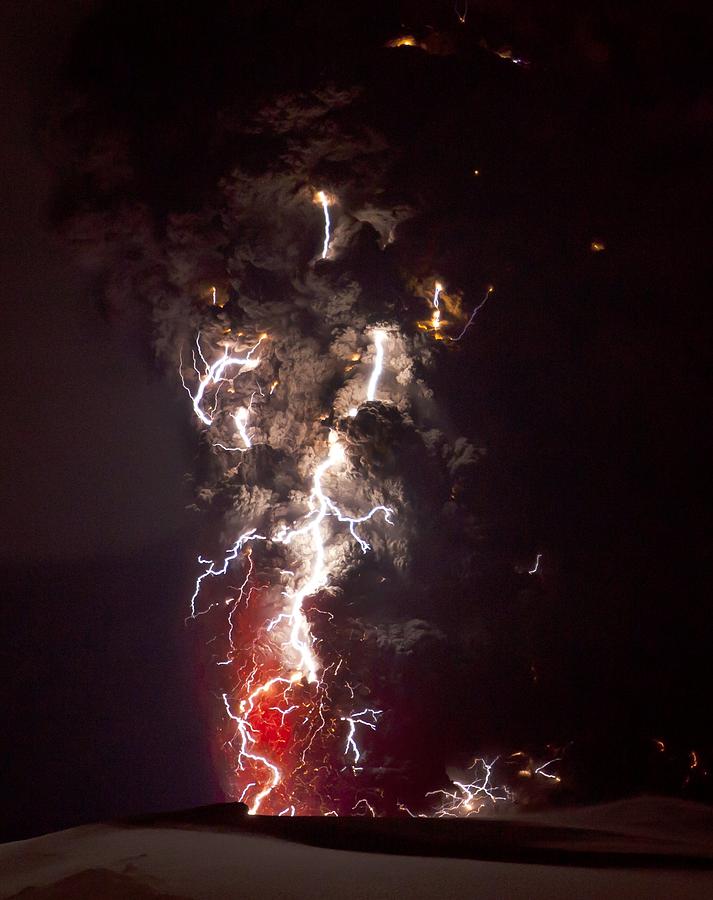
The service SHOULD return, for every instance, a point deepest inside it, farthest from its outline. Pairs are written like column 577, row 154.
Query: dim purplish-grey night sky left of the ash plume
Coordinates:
column 101, row 715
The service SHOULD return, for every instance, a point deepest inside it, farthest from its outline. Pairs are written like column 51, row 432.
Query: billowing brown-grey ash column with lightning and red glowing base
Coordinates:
column 335, row 474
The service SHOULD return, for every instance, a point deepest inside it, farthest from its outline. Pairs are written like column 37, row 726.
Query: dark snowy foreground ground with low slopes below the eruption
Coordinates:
column 648, row 847
